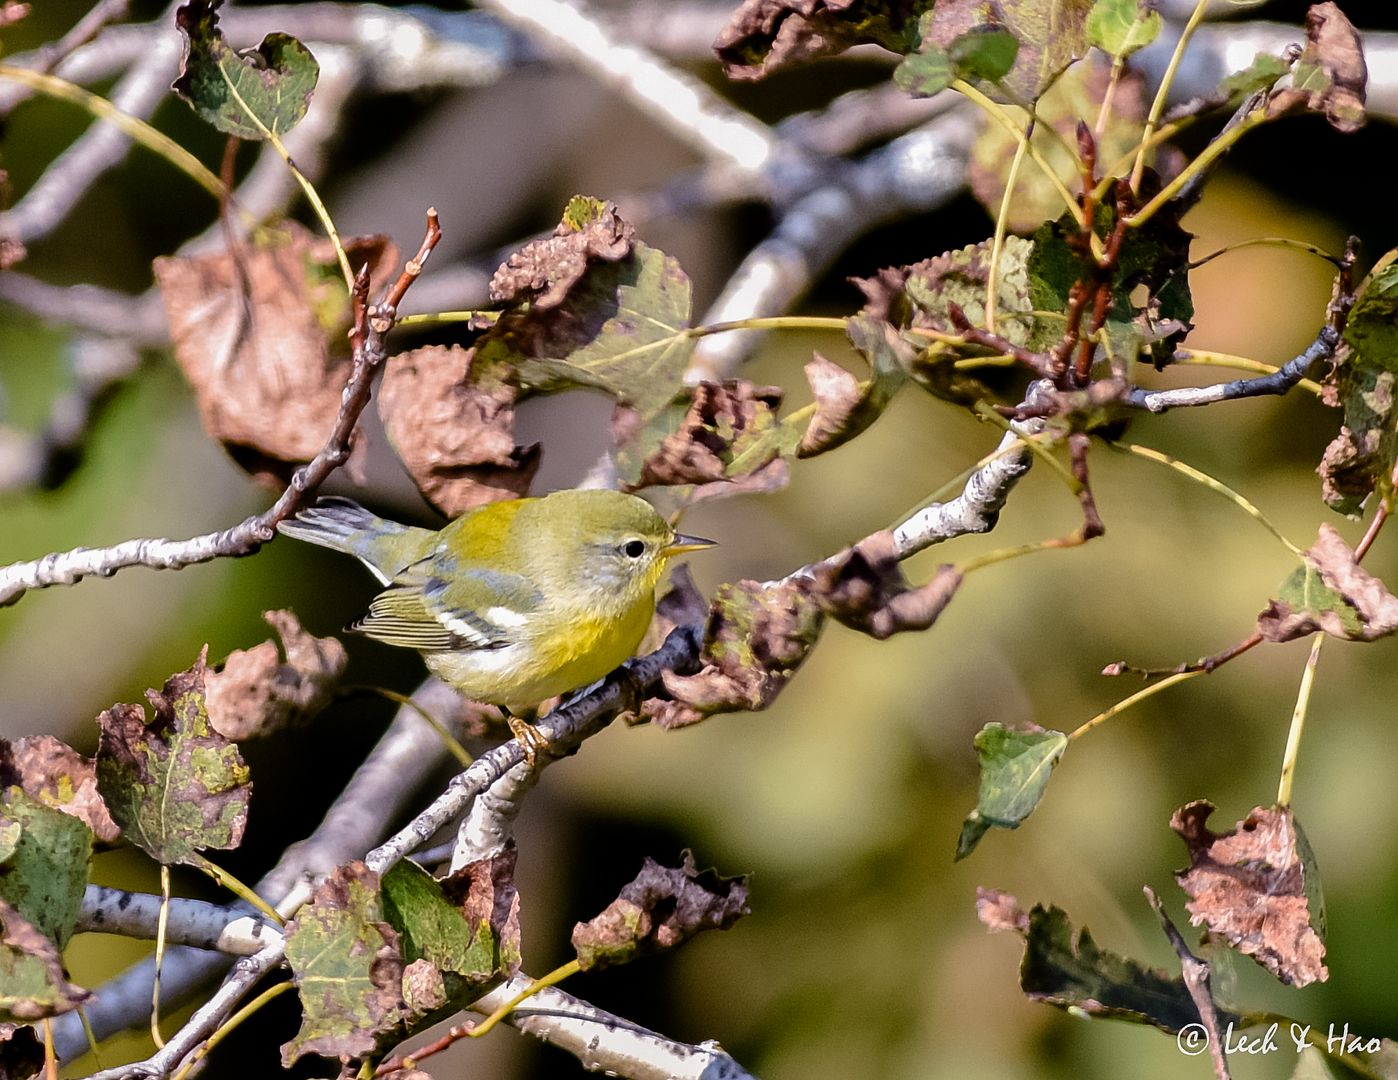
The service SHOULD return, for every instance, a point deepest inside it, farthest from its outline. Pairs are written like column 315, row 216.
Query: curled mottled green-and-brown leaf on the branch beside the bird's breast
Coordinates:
column 757, row 638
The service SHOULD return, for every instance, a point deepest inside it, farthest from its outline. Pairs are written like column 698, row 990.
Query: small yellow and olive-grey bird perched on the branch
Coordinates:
column 515, row 601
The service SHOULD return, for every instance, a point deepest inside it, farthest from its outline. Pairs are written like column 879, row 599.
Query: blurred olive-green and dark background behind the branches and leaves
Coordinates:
column 863, row 955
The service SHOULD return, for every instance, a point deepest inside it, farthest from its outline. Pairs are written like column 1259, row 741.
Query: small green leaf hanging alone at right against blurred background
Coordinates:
column 1014, row 773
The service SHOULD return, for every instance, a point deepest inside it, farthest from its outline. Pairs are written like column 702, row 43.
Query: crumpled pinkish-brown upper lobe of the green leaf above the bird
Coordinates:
column 543, row 272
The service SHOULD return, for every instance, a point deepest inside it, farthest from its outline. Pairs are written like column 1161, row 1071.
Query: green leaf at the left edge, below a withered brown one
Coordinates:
column 47, row 871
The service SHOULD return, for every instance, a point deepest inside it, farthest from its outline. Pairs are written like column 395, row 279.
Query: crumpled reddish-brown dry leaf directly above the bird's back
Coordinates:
column 454, row 431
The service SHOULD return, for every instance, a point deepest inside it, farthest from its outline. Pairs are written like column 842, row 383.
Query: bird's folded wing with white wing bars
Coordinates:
column 479, row 608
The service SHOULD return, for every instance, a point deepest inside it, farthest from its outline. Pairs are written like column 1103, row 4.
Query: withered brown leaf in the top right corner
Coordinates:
column 1332, row 75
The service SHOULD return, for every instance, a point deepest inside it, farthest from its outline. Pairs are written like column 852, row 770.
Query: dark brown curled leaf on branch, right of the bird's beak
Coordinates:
column 865, row 589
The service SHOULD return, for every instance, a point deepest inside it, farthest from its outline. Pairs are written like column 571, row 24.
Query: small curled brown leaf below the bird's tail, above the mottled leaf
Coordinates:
column 255, row 692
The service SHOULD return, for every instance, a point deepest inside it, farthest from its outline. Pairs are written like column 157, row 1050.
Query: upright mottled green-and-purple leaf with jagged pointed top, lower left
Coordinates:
column 174, row 785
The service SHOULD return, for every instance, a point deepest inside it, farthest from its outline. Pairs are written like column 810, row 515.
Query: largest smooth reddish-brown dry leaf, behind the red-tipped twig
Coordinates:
column 254, row 332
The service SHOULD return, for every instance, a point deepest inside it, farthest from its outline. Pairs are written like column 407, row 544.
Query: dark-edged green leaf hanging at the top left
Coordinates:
column 245, row 93
